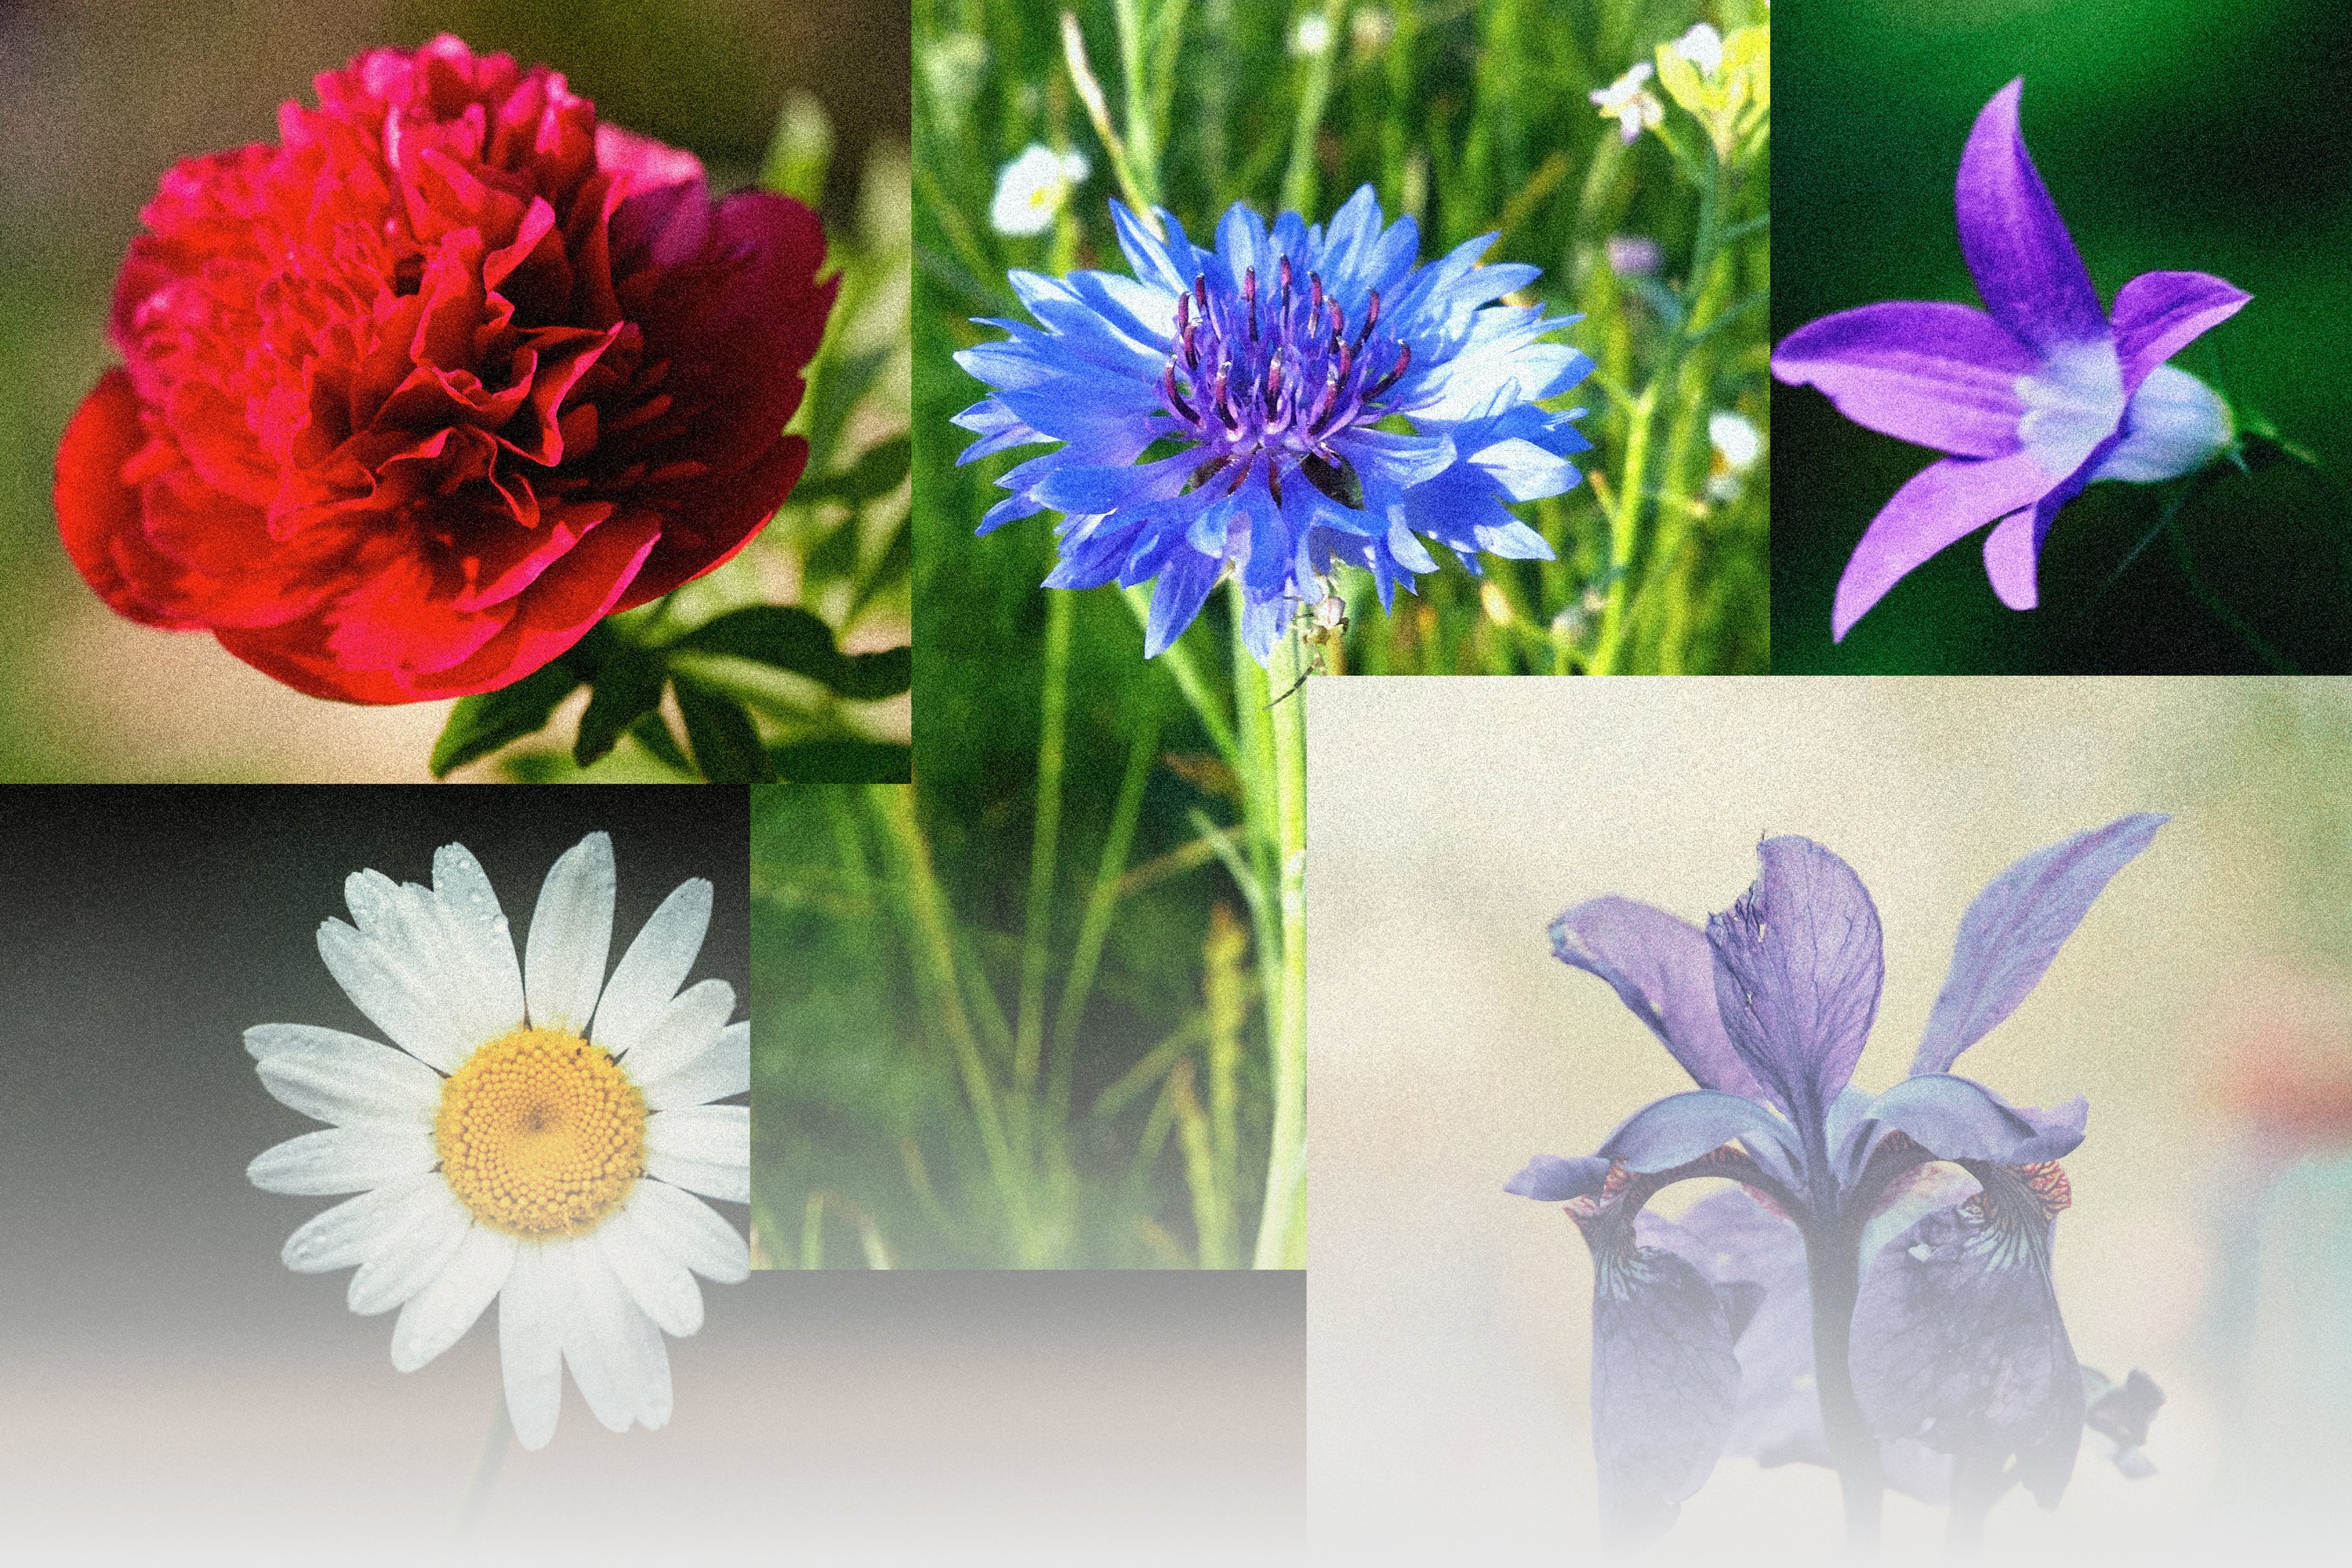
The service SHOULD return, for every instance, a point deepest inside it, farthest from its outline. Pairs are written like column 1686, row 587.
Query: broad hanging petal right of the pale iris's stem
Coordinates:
column 1958, row 1339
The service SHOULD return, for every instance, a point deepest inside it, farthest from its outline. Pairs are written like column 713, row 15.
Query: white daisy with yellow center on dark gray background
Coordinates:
column 535, row 1141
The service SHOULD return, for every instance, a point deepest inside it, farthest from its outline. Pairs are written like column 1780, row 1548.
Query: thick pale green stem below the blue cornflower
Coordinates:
column 1283, row 1224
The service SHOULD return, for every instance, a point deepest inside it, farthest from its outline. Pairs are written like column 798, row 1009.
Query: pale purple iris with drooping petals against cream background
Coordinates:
column 1876, row 1294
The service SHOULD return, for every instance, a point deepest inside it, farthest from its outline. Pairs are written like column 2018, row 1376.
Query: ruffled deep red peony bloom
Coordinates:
column 427, row 389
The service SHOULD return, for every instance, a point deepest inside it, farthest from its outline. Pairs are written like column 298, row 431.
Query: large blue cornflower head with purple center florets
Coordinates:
column 1269, row 373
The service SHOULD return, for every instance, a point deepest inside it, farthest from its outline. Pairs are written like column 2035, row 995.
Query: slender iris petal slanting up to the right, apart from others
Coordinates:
column 2014, row 930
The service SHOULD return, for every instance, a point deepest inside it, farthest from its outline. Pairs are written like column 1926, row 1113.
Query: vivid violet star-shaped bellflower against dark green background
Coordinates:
column 2036, row 401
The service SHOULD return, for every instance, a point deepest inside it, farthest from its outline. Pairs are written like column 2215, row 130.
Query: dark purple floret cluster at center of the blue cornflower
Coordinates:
column 1274, row 377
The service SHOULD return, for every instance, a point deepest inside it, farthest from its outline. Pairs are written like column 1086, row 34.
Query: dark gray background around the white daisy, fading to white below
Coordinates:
column 175, row 1393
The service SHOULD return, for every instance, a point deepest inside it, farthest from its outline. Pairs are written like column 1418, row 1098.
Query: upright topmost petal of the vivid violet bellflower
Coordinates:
column 2017, row 246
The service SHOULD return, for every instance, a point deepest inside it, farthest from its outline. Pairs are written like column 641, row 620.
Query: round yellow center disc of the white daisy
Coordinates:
column 540, row 1134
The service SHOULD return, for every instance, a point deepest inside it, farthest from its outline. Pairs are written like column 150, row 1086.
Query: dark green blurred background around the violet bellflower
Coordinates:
column 2196, row 135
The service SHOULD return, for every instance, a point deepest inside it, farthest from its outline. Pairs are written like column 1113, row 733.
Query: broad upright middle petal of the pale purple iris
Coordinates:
column 1798, row 974
